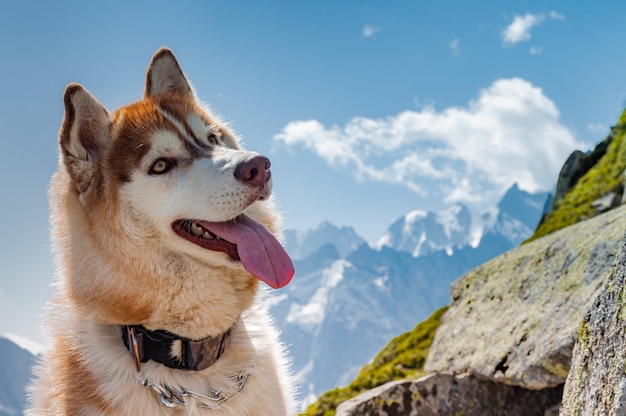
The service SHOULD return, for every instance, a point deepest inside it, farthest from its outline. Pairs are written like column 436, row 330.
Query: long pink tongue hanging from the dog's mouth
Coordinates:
column 259, row 251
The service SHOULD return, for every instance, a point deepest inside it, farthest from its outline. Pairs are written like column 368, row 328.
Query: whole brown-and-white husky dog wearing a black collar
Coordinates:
column 162, row 227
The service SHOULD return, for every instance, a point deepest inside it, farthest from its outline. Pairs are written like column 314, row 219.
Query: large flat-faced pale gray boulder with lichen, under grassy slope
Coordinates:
column 515, row 319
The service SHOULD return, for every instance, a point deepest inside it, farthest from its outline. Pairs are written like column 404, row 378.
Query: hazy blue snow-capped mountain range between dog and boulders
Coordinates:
column 344, row 305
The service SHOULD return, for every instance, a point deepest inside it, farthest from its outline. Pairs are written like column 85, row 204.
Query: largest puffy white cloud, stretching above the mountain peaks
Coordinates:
column 510, row 133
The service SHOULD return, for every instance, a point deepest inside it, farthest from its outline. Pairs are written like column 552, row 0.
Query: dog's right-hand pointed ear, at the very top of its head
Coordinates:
column 165, row 77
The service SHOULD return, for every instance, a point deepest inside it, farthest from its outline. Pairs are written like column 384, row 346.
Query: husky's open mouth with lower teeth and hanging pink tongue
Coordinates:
column 244, row 240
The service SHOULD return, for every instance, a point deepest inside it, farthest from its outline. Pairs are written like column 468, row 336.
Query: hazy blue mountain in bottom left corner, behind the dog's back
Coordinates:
column 16, row 364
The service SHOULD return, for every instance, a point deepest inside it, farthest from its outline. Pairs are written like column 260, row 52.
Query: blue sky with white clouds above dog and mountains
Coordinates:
column 367, row 109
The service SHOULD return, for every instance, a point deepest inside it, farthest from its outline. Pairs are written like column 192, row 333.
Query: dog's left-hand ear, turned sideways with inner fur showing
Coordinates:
column 84, row 134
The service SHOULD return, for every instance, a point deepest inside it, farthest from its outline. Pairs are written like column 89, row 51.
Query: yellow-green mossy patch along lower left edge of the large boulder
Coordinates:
column 404, row 357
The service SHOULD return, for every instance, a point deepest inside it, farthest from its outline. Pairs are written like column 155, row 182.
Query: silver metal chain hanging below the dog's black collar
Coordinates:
column 173, row 397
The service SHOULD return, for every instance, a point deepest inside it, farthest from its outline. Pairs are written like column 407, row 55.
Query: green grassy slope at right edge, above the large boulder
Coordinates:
column 602, row 178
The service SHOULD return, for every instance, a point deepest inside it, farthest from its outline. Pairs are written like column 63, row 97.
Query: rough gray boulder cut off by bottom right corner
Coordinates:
column 596, row 384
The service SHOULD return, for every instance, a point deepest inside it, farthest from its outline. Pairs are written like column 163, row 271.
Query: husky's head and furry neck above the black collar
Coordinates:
column 161, row 192
